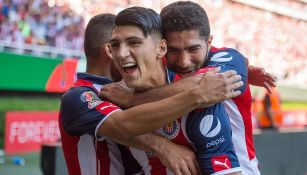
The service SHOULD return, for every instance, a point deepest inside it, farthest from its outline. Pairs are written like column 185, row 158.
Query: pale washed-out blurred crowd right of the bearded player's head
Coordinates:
column 274, row 42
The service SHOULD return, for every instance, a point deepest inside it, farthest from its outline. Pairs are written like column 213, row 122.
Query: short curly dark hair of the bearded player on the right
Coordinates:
column 184, row 15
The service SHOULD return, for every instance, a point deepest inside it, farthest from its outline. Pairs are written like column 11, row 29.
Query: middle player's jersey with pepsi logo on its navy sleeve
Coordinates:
column 206, row 130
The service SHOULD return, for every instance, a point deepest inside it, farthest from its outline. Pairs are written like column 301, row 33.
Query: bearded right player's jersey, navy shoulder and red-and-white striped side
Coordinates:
column 238, row 109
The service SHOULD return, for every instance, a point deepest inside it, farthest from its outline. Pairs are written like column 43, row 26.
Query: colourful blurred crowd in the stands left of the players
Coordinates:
column 41, row 22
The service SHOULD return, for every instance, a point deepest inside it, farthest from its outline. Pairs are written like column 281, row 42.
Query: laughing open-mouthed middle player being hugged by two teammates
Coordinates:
column 137, row 49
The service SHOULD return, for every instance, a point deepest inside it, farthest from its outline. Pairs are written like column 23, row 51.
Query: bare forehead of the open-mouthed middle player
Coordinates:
column 124, row 32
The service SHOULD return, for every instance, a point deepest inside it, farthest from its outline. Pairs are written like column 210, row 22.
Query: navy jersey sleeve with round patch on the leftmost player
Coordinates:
column 83, row 112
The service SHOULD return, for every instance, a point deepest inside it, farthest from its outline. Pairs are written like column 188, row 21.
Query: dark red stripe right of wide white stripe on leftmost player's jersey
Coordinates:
column 103, row 159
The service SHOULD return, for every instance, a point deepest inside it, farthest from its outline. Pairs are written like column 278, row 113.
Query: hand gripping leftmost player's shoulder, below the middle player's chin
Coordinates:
column 116, row 94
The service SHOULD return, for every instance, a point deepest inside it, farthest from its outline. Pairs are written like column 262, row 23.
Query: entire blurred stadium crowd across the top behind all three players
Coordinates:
column 272, row 41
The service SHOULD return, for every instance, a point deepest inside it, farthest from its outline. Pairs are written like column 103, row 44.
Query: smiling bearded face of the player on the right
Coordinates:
column 187, row 51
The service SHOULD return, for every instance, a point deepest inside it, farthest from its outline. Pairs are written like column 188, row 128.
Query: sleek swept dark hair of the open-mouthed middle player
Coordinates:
column 144, row 18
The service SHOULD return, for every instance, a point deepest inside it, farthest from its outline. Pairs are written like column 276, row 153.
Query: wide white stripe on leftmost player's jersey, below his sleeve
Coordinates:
column 87, row 155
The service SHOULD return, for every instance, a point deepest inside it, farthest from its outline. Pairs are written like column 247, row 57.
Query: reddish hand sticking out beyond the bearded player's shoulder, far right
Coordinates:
column 257, row 76
